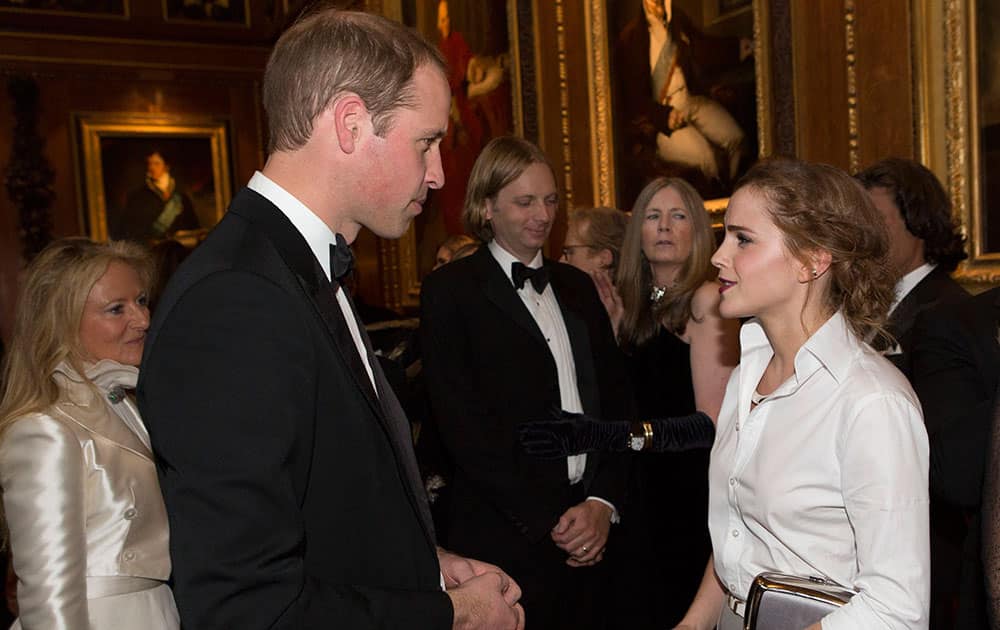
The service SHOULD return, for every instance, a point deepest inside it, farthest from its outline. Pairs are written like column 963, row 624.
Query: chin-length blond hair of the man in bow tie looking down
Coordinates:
column 501, row 161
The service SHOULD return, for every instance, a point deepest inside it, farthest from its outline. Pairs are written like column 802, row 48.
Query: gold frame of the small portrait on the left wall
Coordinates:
column 93, row 128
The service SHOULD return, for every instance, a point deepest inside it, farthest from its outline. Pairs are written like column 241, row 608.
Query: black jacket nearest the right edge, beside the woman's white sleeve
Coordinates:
column 956, row 363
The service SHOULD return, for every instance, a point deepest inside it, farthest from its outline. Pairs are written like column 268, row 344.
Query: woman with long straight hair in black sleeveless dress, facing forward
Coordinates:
column 680, row 353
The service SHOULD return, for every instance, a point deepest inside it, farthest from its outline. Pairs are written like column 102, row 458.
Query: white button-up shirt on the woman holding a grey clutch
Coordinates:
column 826, row 477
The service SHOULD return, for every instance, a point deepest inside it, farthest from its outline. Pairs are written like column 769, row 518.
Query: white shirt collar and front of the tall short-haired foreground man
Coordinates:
column 319, row 237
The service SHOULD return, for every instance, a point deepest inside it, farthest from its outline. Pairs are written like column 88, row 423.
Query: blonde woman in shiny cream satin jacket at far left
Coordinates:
column 82, row 507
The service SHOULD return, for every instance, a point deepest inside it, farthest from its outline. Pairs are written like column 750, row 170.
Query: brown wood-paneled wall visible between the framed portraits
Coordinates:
column 850, row 94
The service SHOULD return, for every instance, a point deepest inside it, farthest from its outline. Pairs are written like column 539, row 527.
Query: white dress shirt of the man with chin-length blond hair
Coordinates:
column 545, row 311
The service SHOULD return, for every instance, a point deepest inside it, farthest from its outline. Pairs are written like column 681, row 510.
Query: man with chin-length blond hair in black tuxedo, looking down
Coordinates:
column 508, row 336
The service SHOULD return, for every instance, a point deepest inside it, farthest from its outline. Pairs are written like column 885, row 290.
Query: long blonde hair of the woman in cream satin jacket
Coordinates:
column 47, row 318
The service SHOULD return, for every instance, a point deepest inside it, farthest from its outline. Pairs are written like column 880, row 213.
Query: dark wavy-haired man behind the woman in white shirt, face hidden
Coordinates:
column 925, row 246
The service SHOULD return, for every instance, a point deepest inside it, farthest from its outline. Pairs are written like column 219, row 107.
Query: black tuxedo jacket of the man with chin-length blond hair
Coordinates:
column 487, row 369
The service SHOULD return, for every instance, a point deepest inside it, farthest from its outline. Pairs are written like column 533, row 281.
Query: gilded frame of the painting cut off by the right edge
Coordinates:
column 947, row 125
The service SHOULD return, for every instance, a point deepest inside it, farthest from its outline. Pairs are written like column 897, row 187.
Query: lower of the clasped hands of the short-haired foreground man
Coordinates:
column 480, row 604
